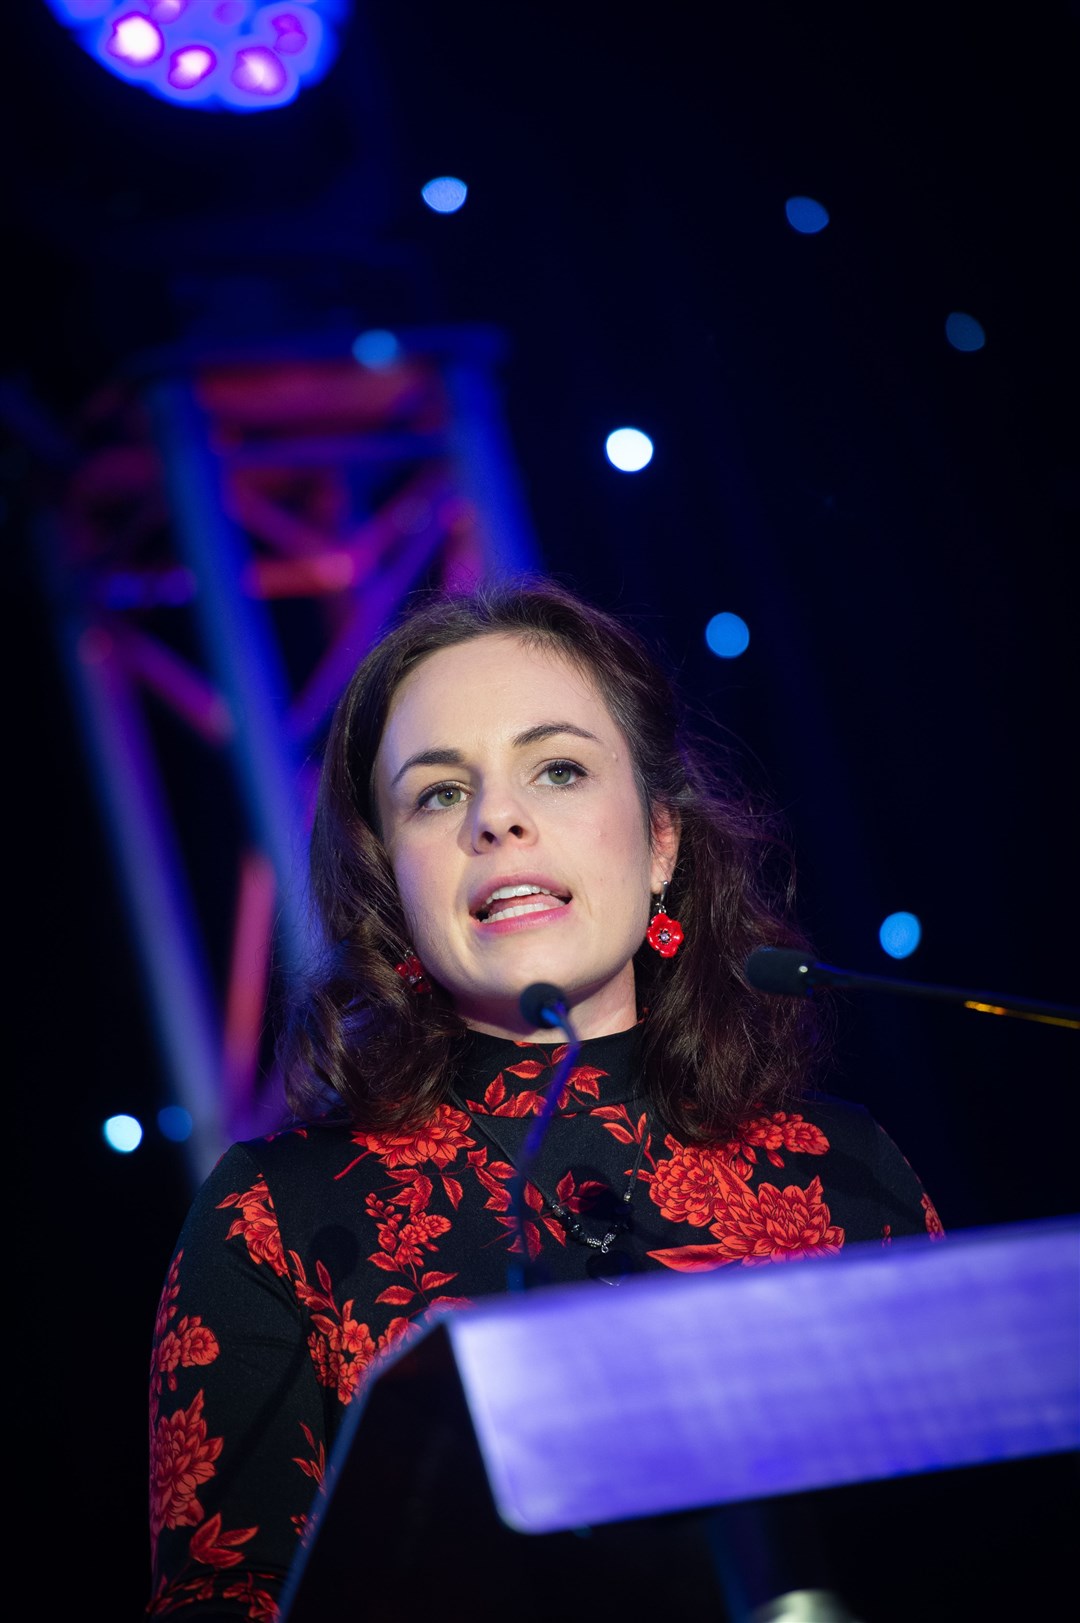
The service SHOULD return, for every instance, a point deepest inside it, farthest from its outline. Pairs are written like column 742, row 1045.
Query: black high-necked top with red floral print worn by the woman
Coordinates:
column 311, row 1254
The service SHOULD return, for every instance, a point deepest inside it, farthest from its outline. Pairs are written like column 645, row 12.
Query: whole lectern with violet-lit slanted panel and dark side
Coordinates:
column 559, row 1452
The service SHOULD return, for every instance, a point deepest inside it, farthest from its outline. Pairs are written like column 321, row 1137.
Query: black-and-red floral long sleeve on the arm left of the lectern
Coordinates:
column 238, row 1419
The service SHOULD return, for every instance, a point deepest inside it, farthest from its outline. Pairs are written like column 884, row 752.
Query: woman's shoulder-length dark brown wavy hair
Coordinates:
column 360, row 1043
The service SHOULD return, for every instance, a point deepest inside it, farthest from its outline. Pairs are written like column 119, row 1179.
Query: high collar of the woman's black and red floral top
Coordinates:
column 498, row 1074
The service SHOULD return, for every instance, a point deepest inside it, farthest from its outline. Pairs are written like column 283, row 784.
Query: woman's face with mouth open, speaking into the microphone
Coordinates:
column 517, row 835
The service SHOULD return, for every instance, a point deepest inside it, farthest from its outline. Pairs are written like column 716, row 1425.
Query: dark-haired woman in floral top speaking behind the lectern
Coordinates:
column 506, row 799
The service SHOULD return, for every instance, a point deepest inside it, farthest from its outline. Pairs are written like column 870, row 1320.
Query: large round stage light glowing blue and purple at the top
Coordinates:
column 222, row 54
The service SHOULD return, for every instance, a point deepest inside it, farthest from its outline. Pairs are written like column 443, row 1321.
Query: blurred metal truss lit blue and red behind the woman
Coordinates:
column 231, row 536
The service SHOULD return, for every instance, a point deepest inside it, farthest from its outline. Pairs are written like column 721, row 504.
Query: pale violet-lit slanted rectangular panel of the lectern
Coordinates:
column 668, row 1393
